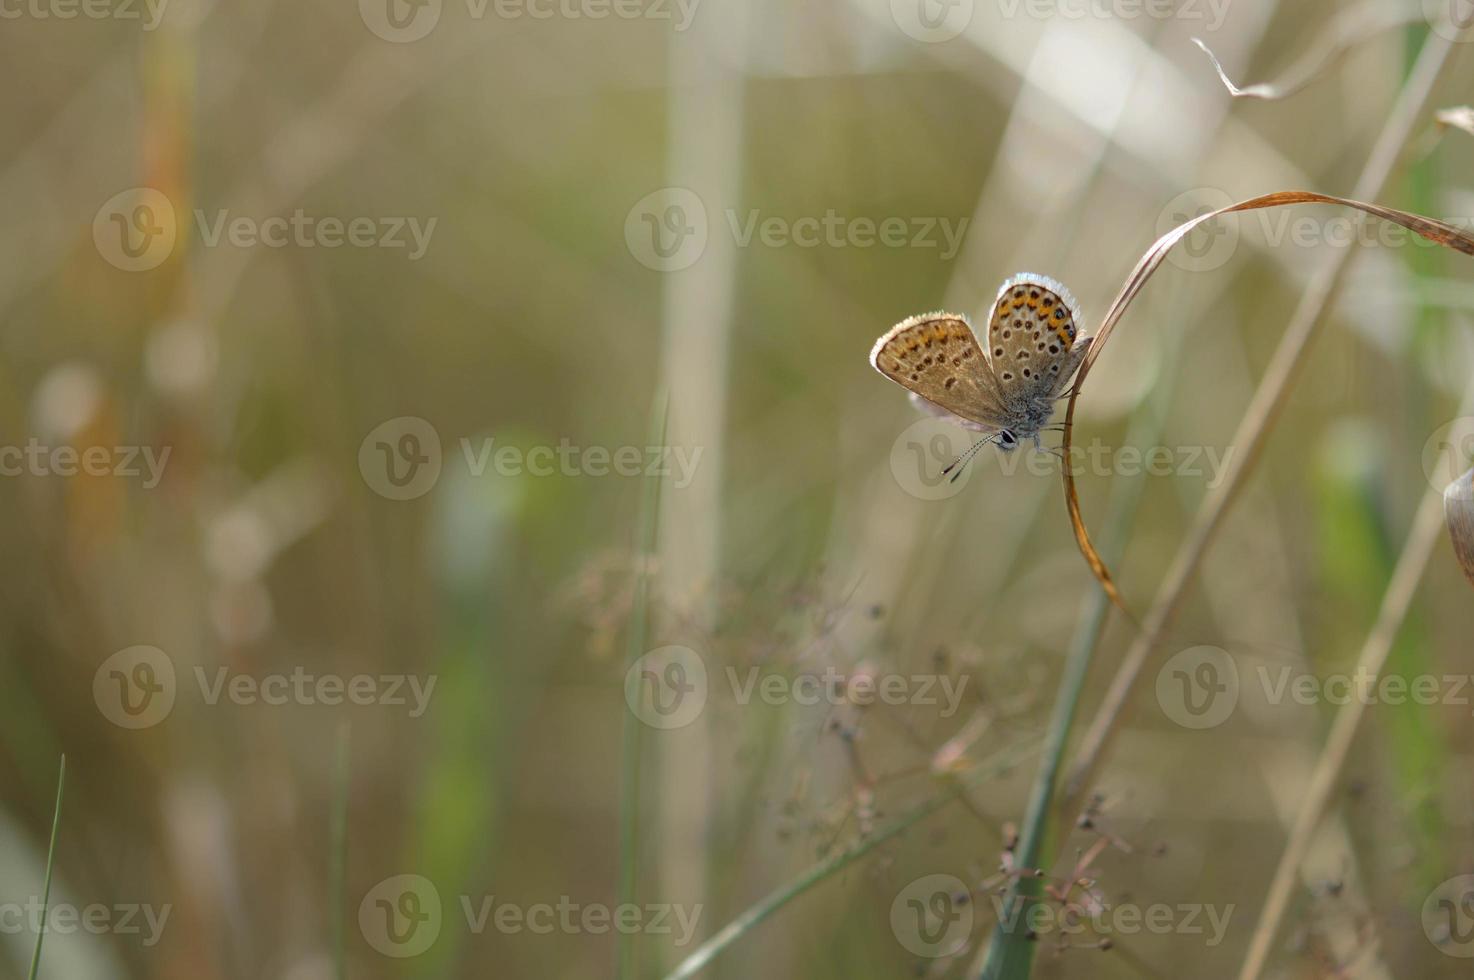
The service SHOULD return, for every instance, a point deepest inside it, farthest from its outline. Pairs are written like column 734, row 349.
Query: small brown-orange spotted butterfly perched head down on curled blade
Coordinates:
column 1007, row 390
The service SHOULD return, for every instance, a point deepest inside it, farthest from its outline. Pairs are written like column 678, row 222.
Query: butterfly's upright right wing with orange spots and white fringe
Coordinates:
column 1033, row 338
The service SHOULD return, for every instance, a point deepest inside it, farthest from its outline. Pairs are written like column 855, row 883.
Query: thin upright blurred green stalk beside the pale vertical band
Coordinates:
column 632, row 741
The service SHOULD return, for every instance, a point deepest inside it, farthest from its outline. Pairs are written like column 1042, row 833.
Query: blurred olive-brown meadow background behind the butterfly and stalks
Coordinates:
column 531, row 321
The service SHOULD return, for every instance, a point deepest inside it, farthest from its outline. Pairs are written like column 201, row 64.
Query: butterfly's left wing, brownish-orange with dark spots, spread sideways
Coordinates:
column 937, row 357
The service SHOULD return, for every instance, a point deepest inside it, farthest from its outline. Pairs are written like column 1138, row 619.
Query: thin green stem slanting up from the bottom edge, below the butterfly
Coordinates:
column 776, row 900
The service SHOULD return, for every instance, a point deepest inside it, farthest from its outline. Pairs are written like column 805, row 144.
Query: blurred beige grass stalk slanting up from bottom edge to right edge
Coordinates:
column 1428, row 530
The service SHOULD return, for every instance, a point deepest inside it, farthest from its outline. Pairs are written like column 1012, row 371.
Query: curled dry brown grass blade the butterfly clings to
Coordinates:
column 1431, row 229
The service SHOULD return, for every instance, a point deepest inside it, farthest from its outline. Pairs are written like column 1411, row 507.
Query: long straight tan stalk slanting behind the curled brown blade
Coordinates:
column 1258, row 419
